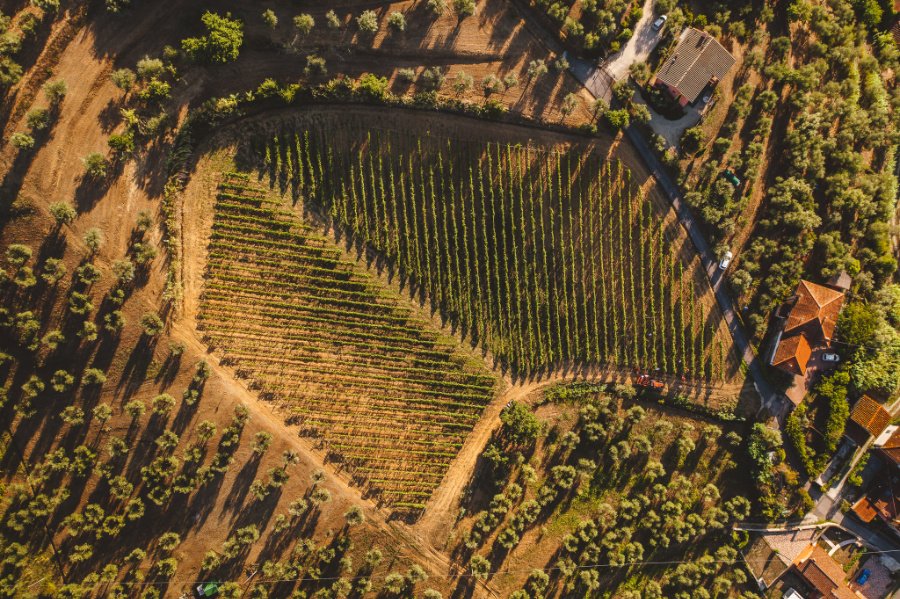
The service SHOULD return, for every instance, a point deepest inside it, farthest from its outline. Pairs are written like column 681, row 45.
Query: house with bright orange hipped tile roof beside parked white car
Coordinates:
column 810, row 322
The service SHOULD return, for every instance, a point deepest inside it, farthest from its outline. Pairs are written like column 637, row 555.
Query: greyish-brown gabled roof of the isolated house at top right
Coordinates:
column 698, row 59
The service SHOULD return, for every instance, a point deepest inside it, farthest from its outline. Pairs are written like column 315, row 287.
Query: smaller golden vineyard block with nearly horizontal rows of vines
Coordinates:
column 348, row 361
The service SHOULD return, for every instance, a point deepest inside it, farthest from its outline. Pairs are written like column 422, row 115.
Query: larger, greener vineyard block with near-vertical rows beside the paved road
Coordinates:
column 548, row 259
